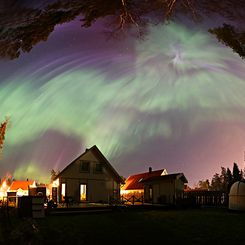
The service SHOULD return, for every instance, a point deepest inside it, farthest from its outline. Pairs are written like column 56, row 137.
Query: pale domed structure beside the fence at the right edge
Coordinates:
column 237, row 196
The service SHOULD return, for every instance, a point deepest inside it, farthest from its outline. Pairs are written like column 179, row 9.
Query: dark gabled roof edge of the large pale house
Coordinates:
column 98, row 153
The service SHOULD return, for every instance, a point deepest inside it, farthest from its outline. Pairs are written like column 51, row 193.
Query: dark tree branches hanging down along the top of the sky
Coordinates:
column 32, row 25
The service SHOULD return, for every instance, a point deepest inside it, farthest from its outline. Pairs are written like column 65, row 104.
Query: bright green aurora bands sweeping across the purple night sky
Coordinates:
column 174, row 70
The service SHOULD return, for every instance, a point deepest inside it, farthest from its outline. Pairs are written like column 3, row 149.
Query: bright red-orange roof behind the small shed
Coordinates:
column 135, row 182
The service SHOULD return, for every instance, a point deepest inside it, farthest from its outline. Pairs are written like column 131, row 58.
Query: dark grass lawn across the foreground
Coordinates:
column 191, row 226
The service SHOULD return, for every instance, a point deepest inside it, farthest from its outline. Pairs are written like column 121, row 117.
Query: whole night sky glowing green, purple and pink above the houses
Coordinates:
column 173, row 100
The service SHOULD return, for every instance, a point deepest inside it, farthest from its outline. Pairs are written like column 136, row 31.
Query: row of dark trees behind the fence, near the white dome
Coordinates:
column 224, row 180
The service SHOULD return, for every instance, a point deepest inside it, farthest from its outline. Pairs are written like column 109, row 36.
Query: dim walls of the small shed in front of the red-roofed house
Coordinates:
column 164, row 191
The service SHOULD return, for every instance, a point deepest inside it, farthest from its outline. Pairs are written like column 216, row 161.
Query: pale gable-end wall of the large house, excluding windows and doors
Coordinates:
column 100, row 186
